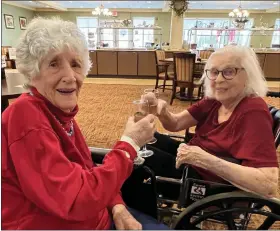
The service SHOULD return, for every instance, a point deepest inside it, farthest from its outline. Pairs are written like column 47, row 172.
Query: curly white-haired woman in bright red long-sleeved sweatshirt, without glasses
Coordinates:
column 48, row 178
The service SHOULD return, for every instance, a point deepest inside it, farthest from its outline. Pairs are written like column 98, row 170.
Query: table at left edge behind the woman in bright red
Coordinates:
column 12, row 87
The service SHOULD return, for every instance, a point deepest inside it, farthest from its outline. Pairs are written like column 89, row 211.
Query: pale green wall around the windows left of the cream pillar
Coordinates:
column 163, row 19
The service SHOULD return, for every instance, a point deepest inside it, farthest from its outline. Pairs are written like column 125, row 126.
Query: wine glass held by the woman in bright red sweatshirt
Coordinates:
column 142, row 110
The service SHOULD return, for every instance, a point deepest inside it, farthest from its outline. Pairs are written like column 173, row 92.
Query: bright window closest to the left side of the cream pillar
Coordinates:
column 141, row 37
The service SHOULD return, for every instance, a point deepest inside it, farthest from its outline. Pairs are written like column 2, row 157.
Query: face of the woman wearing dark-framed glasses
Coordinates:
column 231, row 89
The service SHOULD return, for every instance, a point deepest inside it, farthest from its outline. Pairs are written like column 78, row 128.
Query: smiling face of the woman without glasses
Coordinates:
column 60, row 79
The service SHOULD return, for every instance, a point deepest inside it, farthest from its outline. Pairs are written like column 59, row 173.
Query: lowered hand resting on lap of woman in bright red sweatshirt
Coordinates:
column 124, row 220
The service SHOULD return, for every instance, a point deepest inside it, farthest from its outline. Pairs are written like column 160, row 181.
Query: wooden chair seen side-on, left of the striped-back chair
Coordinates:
column 162, row 70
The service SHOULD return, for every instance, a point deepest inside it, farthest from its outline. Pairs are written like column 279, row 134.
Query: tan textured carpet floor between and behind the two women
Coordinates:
column 104, row 110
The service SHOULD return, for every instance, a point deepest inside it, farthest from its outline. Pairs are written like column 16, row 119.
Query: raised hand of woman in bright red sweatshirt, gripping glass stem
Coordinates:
column 141, row 132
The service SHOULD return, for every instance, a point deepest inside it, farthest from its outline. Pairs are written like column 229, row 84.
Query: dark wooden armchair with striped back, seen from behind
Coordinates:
column 184, row 66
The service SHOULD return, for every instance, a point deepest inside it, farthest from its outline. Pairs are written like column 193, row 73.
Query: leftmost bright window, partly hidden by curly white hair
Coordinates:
column 88, row 25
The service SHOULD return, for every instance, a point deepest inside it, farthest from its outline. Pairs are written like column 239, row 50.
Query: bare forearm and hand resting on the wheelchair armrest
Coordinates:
column 262, row 181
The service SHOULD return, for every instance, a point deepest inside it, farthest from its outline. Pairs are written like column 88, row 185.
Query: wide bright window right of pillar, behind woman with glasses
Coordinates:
column 208, row 35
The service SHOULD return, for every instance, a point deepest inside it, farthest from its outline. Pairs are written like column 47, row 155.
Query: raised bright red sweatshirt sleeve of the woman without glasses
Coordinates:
column 61, row 187
